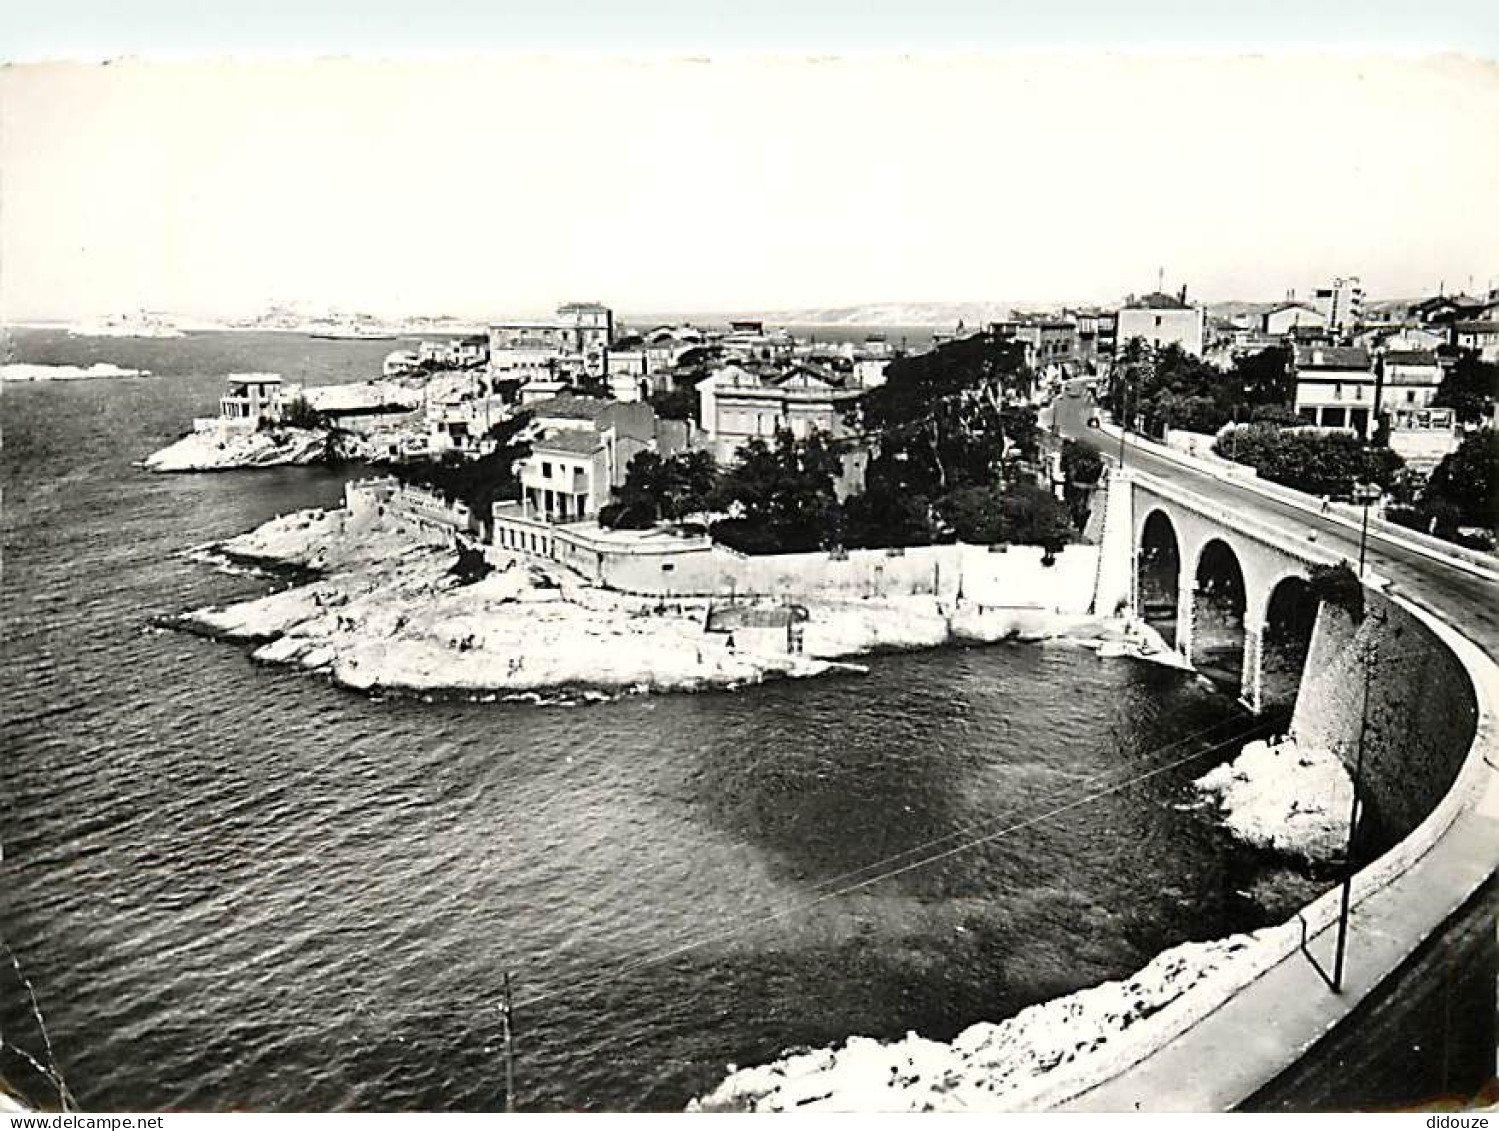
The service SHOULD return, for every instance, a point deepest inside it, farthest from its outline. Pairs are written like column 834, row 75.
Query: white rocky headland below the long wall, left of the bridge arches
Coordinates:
column 384, row 613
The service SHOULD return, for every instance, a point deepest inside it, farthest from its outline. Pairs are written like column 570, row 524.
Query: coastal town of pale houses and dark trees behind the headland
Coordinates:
column 551, row 431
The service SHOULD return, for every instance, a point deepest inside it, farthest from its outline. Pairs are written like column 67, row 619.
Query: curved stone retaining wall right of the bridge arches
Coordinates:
column 1422, row 708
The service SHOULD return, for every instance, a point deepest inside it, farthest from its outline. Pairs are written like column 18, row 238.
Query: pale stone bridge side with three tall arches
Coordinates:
column 1224, row 591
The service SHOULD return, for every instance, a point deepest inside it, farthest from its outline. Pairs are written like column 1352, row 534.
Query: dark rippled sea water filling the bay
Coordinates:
column 242, row 888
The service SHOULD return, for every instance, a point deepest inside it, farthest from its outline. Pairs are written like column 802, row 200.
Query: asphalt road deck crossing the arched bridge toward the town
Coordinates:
column 1467, row 601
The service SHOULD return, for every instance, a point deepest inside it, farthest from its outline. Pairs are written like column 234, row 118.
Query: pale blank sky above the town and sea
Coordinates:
column 486, row 185
